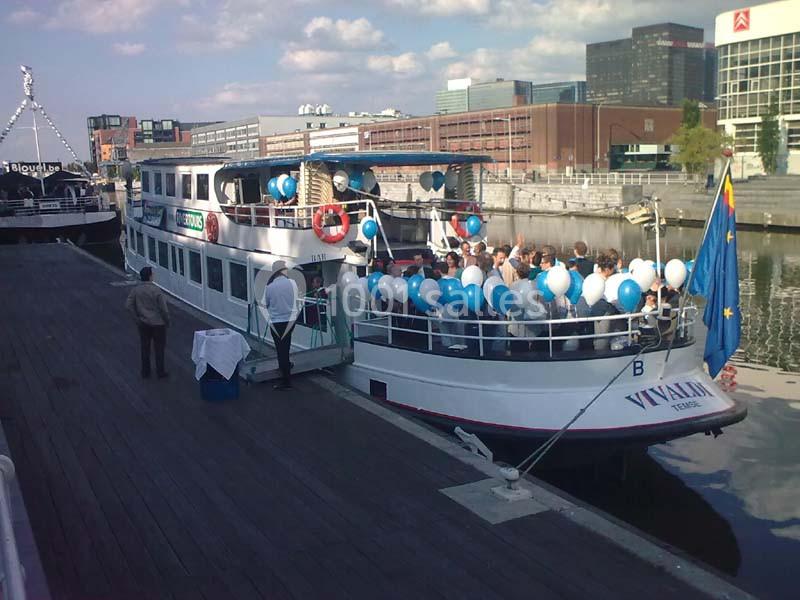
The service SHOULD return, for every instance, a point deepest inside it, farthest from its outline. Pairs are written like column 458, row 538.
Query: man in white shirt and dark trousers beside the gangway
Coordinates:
column 280, row 301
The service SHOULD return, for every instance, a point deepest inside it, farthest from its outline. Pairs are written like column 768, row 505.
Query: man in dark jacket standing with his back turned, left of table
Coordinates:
column 148, row 305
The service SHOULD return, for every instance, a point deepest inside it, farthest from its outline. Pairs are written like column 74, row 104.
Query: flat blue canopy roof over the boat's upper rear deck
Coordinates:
column 365, row 159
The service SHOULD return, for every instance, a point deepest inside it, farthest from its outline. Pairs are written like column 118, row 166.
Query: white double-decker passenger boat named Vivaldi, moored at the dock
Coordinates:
column 206, row 228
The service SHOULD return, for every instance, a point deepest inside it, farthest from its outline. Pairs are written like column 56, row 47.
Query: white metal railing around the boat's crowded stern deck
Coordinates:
column 554, row 338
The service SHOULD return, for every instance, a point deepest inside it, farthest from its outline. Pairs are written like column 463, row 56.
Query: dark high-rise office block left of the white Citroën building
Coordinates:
column 659, row 65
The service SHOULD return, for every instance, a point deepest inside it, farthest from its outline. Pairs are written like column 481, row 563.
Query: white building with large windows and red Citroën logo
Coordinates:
column 759, row 58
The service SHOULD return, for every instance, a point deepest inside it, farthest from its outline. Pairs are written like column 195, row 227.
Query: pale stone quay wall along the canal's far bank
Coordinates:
column 772, row 203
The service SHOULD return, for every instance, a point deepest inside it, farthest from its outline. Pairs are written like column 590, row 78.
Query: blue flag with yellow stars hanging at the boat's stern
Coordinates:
column 716, row 276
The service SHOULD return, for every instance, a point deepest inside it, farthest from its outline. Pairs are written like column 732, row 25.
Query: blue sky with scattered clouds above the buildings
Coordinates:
column 198, row 60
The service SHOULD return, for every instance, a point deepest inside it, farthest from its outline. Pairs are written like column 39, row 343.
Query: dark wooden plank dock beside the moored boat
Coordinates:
column 139, row 489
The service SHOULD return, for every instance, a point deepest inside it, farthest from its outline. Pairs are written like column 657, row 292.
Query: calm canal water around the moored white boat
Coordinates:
column 732, row 502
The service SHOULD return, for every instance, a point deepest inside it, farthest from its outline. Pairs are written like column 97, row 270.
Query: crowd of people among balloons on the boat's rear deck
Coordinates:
column 520, row 261
